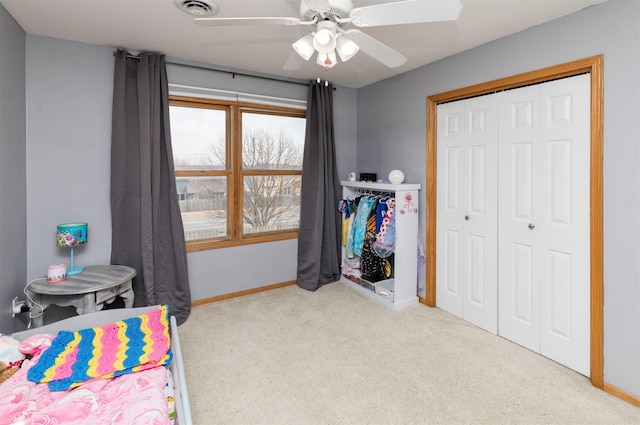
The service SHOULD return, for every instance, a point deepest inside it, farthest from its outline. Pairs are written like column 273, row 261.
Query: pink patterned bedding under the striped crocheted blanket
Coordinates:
column 138, row 398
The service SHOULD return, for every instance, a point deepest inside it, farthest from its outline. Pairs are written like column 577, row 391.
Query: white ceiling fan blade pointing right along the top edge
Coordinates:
column 405, row 12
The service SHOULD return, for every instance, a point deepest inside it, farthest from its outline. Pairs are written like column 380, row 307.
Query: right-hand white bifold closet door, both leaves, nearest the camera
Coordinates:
column 544, row 267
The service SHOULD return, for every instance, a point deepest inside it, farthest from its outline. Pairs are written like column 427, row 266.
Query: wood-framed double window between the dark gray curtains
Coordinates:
column 238, row 171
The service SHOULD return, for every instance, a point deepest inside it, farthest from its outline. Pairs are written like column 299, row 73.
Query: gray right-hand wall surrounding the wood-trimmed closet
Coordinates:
column 392, row 134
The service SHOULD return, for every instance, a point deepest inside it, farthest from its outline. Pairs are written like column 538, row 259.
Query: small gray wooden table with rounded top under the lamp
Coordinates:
column 87, row 291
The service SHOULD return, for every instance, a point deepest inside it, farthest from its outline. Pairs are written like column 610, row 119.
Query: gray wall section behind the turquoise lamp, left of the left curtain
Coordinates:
column 69, row 96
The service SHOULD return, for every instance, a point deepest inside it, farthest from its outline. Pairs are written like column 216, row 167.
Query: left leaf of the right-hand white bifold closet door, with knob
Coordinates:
column 519, row 266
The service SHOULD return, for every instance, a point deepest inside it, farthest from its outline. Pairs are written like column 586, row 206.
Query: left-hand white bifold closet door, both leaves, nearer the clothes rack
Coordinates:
column 466, row 239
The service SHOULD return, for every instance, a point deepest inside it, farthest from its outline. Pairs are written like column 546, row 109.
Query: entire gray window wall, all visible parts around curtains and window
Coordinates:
column 68, row 101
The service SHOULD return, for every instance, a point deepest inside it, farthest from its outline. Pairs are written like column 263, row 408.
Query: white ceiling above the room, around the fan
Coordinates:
column 160, row 26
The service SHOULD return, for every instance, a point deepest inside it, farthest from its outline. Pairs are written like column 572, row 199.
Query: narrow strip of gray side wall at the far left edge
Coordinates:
column 13, row 223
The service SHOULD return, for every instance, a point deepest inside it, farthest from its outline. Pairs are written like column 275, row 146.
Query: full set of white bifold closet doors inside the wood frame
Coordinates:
column 512, row 240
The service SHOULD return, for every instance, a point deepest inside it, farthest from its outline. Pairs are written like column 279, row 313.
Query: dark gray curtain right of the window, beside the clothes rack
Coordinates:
column 318, row 235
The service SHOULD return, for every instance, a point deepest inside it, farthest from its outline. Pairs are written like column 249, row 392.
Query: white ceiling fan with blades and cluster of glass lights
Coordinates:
column 331, row 16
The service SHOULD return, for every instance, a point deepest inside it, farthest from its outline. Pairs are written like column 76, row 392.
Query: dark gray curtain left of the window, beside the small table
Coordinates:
column 147, row 231
